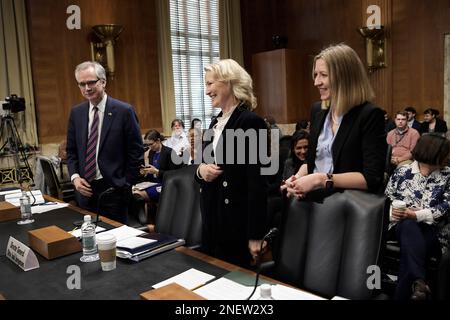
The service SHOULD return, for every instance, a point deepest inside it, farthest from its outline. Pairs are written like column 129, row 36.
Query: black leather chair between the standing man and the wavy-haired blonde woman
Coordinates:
column 179, row 206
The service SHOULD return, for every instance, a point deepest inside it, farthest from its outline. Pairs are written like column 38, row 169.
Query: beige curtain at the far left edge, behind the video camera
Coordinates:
column 15, row 66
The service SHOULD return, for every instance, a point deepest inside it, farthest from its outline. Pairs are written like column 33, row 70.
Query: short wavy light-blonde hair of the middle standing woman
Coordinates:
column 230, row 71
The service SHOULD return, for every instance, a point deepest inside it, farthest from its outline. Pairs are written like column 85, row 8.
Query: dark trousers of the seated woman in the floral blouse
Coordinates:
column 418, row 242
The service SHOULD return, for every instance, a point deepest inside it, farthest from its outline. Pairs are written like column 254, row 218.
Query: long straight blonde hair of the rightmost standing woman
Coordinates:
column 349, row 83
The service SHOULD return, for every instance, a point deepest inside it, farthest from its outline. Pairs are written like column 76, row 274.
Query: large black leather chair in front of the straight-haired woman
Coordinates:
column 326, row 248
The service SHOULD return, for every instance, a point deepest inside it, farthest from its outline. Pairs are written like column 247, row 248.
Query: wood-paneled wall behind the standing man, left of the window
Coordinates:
column 56, row 50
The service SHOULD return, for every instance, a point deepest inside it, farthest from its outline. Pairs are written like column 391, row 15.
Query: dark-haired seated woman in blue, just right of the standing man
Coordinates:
column 158, row 160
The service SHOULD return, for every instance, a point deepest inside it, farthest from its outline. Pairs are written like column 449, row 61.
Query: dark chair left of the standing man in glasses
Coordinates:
column 65, row 191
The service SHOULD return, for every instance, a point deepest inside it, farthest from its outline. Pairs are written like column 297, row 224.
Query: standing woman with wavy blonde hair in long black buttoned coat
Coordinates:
column 233, row 190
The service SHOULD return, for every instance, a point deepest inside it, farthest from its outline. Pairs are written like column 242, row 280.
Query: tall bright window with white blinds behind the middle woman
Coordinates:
column 194, row 26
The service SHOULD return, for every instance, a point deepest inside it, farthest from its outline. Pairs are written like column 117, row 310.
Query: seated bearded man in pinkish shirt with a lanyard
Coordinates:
column 403, row 139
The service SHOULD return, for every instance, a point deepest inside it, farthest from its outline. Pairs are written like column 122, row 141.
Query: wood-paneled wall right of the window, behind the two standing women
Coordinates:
column 415, row 30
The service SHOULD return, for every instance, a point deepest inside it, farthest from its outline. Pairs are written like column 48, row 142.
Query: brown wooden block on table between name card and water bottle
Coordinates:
column 53, row 242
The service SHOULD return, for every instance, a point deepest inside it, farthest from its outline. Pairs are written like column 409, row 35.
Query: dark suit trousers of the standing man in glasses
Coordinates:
column 112, row 205
